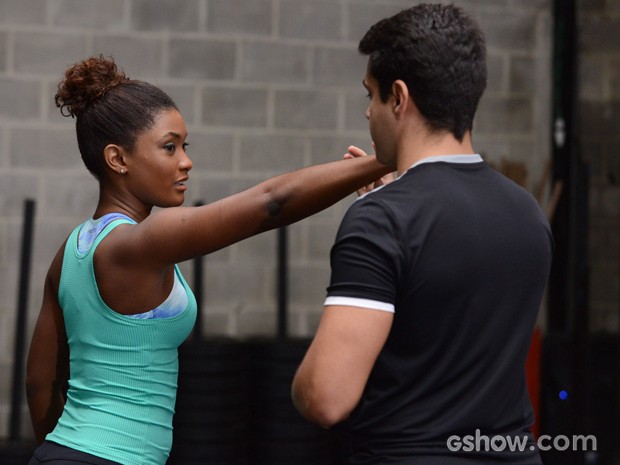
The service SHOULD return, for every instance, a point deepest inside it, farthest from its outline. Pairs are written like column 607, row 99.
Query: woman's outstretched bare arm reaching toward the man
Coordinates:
column 178, row 234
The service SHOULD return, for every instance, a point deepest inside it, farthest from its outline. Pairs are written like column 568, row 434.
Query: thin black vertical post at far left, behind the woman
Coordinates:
column 20, row 325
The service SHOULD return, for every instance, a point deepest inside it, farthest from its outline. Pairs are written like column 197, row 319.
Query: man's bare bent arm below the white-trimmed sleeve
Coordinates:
column 331, row 378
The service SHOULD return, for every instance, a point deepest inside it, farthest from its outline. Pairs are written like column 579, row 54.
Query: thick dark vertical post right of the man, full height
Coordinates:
column 568, row 306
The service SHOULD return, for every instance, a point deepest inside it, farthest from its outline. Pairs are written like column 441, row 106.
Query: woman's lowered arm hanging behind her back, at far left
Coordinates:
column 48, row 358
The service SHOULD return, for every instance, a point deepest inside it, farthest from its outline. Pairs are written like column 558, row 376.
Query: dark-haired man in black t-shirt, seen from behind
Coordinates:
column 437, row 277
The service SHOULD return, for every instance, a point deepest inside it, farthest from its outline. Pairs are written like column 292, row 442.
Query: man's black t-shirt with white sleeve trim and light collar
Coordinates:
column 461, row 254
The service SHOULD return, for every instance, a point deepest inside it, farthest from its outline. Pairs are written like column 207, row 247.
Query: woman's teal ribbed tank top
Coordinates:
column 123, row 370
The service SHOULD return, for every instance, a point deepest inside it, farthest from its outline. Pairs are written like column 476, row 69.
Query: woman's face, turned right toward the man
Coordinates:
column 158, row 166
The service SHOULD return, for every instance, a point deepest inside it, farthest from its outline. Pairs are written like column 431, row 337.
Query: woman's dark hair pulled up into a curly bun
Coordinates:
column 109, row 107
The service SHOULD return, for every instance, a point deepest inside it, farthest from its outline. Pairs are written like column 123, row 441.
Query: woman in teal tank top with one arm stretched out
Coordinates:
column 115, row 305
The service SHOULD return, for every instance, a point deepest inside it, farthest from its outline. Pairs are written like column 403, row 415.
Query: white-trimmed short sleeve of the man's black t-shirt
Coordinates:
column 366, row 257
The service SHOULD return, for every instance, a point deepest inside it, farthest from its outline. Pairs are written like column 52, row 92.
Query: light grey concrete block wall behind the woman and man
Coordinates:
column 265, row 86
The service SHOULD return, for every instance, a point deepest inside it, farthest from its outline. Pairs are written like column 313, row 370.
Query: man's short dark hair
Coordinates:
column 440, row 54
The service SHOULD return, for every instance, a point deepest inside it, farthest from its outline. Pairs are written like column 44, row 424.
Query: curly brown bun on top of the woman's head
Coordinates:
column 85, row 82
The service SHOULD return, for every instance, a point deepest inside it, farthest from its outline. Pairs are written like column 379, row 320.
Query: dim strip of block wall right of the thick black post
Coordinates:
column 599, row 138
